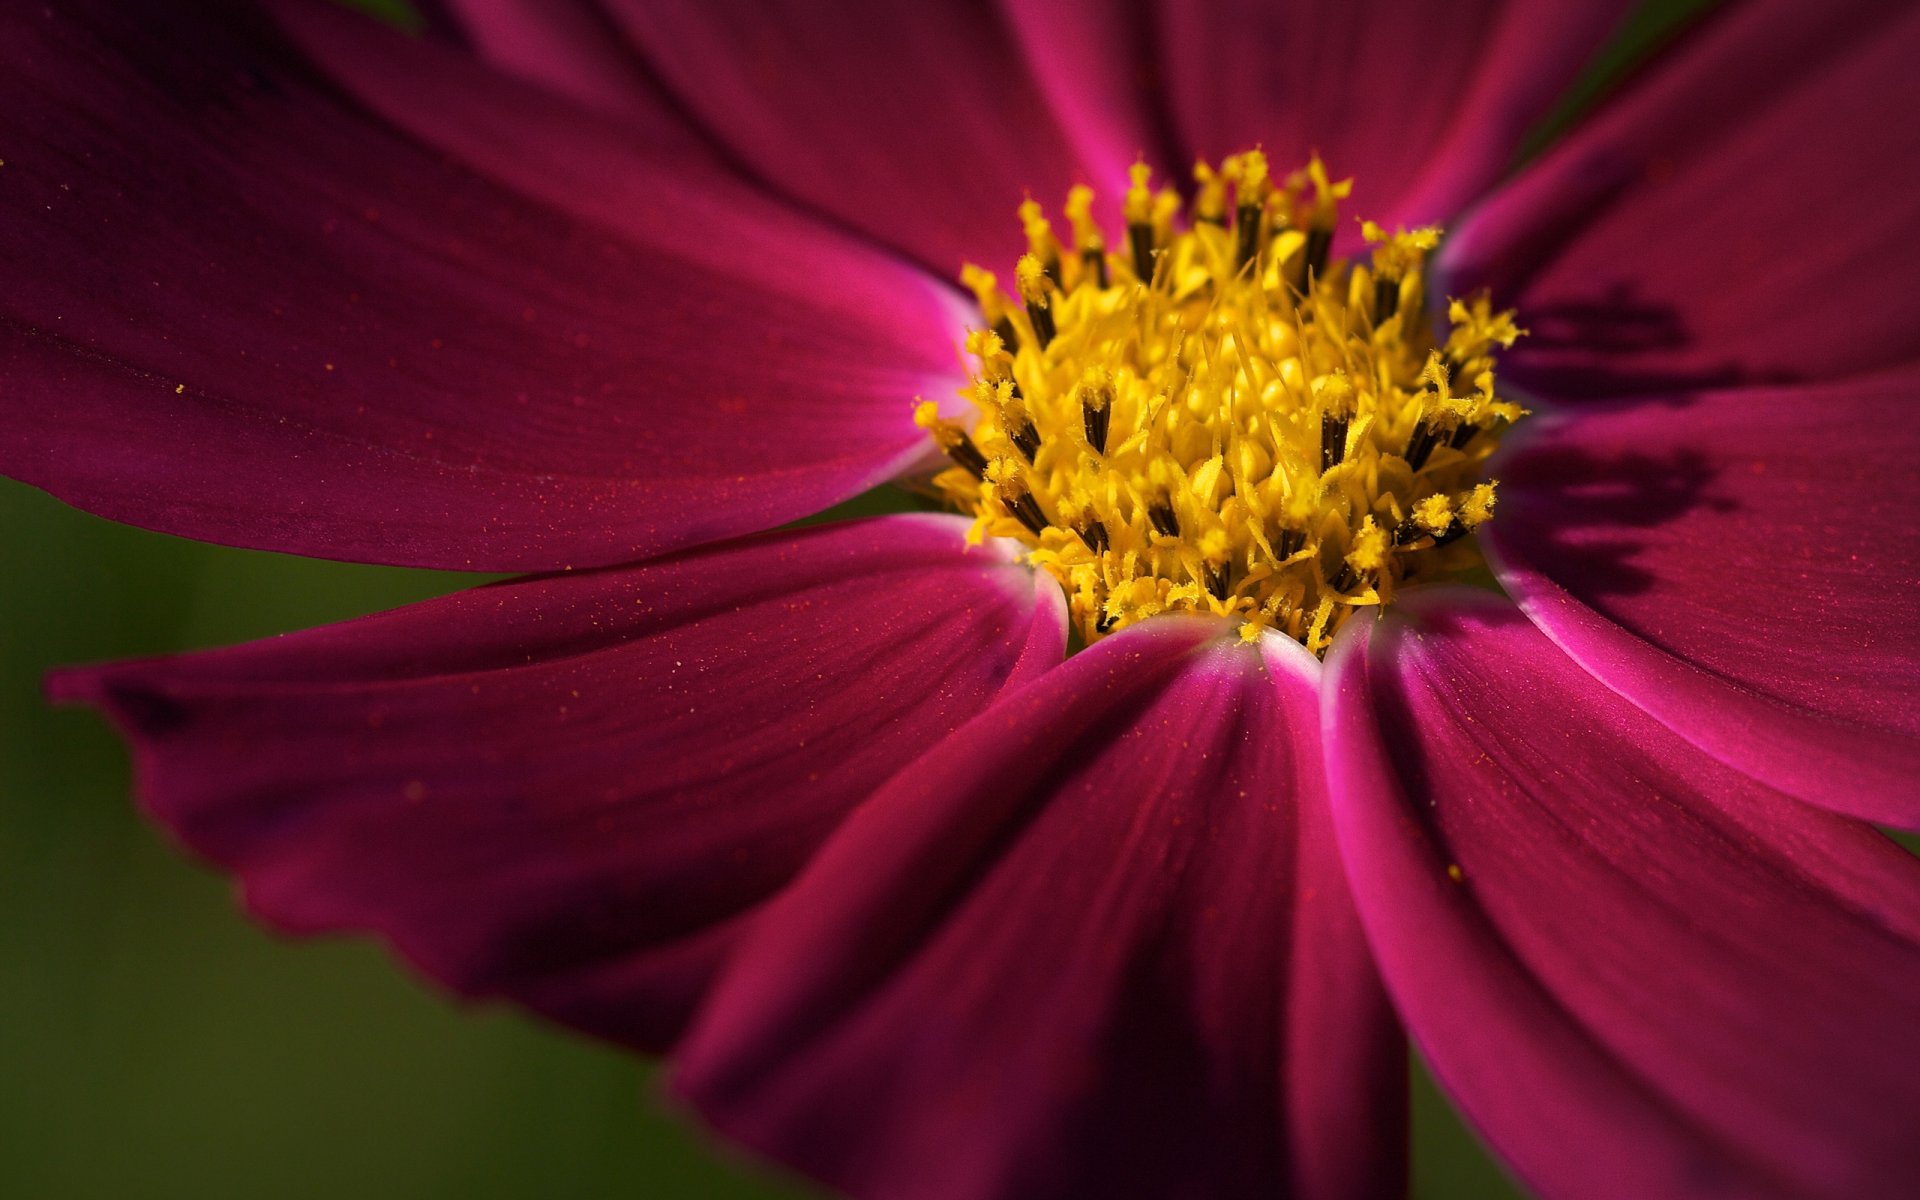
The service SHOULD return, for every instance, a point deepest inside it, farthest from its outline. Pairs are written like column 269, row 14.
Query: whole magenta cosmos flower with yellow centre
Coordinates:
column 608, row 293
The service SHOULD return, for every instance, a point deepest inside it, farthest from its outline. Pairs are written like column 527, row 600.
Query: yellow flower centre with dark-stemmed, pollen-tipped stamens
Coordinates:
column 1226, row 420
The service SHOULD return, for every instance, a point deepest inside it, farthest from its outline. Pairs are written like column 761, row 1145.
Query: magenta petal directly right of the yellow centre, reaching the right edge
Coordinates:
column 1742, row 565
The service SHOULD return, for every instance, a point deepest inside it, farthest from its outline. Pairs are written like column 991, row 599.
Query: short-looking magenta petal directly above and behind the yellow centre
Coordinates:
column 1424, row 105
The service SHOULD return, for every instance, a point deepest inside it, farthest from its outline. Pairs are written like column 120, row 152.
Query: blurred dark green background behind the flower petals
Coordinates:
column 156, row 1045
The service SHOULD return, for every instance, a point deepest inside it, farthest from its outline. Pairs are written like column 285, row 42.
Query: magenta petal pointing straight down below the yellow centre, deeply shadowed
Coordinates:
column 1093, row 946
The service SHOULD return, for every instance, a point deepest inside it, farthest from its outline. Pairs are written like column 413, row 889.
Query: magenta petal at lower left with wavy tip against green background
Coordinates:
column 577, row 790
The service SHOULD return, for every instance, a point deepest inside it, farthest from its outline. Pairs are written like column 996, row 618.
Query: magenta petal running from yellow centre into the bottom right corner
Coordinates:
column 1639, row 972
